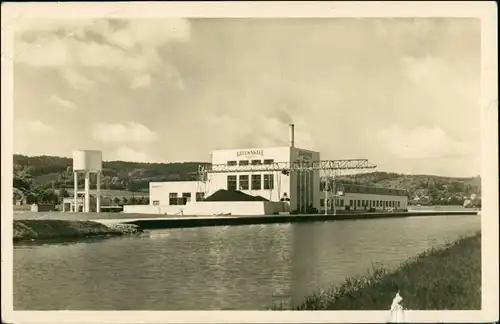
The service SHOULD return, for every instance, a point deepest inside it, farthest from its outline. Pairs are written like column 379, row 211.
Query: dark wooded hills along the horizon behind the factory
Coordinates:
column 35, row 176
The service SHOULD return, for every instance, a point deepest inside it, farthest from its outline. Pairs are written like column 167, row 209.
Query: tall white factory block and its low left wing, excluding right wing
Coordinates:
column 300, row 189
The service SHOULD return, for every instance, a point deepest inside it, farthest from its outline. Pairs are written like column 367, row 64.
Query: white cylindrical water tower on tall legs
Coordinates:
column 87, row 162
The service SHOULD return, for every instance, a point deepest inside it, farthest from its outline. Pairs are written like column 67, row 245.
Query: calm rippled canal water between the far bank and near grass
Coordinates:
column 244, row 267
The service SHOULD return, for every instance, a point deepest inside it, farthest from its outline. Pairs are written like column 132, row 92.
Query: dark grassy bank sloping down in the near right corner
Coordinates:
column 447, row 278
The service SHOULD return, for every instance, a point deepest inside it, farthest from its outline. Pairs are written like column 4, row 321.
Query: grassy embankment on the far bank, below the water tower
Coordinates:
column 50, row 229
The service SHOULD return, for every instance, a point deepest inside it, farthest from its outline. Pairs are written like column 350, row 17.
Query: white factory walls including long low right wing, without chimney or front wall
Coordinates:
column 302, row 190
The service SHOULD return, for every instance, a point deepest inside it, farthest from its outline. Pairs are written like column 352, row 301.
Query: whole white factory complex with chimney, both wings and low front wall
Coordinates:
column 284, row 179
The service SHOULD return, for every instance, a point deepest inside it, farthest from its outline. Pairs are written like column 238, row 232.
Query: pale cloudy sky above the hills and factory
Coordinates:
column 403, row 93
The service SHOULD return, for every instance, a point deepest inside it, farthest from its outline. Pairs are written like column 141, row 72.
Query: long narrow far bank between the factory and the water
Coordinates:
column 50, row 229
